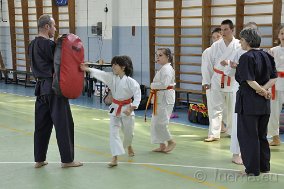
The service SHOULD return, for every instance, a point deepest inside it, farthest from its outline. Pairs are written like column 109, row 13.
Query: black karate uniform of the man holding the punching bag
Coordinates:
column 50, row 109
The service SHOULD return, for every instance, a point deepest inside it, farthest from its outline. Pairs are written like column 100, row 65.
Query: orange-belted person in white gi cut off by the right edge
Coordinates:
column 277, row 90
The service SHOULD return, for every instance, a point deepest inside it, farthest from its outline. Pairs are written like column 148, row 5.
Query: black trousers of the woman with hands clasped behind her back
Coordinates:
column 252, row 136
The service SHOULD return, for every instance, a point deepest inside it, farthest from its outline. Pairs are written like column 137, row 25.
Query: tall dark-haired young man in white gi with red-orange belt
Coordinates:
column 221, row 94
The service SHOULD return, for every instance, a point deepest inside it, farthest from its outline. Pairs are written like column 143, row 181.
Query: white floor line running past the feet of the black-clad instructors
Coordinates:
column 154, row 164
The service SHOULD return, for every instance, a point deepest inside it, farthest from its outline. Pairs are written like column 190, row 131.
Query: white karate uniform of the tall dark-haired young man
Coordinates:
column 221, row 97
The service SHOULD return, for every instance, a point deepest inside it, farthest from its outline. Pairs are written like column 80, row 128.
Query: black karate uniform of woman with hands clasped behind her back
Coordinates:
column 254, row 110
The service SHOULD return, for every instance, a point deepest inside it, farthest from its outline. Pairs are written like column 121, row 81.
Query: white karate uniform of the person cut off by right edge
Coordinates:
column 276, row 104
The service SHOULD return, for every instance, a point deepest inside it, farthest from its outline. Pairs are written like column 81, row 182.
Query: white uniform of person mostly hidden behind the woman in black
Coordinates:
column 234, row 146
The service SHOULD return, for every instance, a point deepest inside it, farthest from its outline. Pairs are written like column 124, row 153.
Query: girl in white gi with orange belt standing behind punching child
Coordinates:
column 164, row 99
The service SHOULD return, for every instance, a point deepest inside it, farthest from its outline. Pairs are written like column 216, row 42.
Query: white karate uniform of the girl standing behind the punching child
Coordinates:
column 165, row 102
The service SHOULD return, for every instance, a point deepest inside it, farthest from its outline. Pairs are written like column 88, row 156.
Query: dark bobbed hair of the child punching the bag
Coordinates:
column 124, row 61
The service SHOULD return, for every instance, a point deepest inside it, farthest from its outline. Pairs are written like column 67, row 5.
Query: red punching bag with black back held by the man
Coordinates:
column 68, row 79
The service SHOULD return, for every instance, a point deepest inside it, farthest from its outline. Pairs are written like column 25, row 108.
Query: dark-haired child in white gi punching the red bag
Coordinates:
column 123, row 88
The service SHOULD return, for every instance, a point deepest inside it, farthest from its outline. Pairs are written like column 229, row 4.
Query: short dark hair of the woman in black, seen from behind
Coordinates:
column 251, row 36
